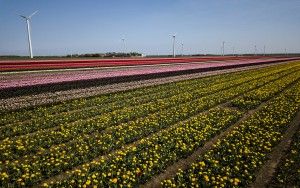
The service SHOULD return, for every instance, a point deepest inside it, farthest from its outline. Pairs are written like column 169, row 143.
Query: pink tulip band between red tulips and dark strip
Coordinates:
column 29, row 80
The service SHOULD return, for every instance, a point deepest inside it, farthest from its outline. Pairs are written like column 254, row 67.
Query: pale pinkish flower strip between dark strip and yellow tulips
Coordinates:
column 59, row 96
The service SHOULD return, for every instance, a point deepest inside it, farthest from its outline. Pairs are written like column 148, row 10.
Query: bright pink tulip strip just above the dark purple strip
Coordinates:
column 9, row 81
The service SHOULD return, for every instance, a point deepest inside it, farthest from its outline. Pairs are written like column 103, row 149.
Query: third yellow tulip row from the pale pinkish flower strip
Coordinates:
column 13, row 148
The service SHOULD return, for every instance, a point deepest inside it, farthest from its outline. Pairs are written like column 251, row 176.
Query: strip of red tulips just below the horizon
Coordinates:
column 18, row 65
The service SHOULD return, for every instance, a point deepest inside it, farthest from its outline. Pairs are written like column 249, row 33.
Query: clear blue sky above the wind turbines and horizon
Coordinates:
column 96, row 26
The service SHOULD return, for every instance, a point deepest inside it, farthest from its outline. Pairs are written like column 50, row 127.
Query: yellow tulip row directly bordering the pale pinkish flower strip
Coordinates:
column 52, row 110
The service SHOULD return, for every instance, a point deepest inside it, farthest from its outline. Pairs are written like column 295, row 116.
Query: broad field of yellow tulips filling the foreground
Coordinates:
column 211, row 131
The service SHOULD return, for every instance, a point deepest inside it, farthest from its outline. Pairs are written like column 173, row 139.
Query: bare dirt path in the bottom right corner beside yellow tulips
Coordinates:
column 265, row 174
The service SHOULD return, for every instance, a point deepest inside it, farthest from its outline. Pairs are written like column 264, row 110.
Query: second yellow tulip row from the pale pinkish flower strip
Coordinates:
column 50, row 121
